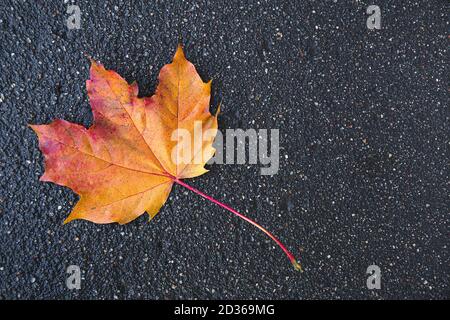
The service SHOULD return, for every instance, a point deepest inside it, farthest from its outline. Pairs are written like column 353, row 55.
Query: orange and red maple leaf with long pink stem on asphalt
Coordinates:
column 123, row 165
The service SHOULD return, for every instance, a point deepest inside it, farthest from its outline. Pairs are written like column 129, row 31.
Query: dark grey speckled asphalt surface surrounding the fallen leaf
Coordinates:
column 364, row 167
